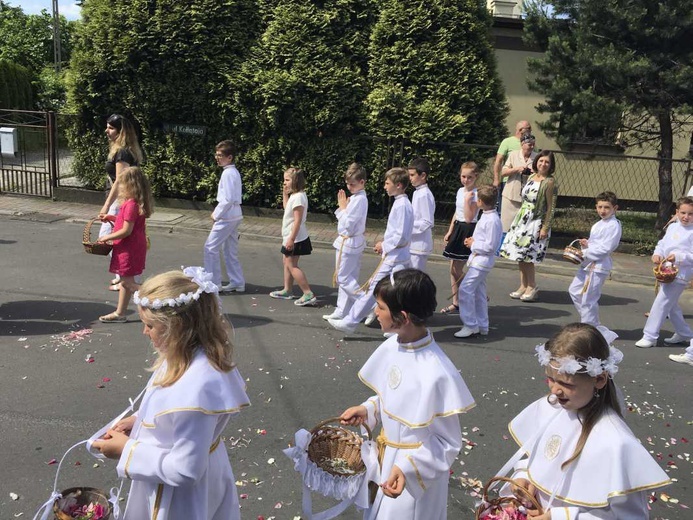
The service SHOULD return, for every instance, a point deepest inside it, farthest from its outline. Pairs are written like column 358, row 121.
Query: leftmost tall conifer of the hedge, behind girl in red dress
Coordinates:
column 160, row 62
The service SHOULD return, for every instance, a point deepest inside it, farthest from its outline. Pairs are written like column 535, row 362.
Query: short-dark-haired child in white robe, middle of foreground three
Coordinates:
column 418, row 396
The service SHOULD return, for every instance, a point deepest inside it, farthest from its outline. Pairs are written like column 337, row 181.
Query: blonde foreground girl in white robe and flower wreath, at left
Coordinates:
column 171, row 448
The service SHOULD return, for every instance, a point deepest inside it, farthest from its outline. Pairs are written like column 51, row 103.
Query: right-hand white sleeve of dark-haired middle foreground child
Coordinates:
column 442, row 441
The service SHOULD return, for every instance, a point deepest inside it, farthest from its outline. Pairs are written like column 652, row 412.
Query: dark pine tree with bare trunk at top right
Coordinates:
column 612, row 66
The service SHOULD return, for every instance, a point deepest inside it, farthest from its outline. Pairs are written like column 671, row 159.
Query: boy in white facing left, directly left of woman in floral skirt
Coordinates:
column 483, row 244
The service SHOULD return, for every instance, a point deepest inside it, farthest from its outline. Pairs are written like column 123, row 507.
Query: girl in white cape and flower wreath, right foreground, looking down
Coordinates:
column 579, row 458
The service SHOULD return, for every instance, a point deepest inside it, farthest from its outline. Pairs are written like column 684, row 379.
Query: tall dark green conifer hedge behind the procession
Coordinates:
column 294, row 82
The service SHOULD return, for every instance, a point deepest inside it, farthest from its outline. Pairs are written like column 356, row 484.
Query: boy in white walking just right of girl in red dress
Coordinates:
column 227, row 216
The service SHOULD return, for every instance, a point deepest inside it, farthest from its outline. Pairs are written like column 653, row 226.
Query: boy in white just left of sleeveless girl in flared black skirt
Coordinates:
column 424, row 206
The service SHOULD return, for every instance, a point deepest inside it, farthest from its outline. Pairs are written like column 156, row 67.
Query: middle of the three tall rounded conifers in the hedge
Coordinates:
column 302, row 93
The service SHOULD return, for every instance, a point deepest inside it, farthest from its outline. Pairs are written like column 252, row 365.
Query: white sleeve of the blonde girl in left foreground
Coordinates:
column 180, row 464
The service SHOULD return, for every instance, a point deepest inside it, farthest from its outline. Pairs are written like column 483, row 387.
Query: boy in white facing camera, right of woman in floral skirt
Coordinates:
column 605, row 235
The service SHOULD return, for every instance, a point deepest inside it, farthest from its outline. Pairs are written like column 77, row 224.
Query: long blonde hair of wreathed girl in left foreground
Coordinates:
column 187, row 328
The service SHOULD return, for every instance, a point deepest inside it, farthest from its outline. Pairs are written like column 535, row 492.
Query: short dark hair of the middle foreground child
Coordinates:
column 413, row 292
